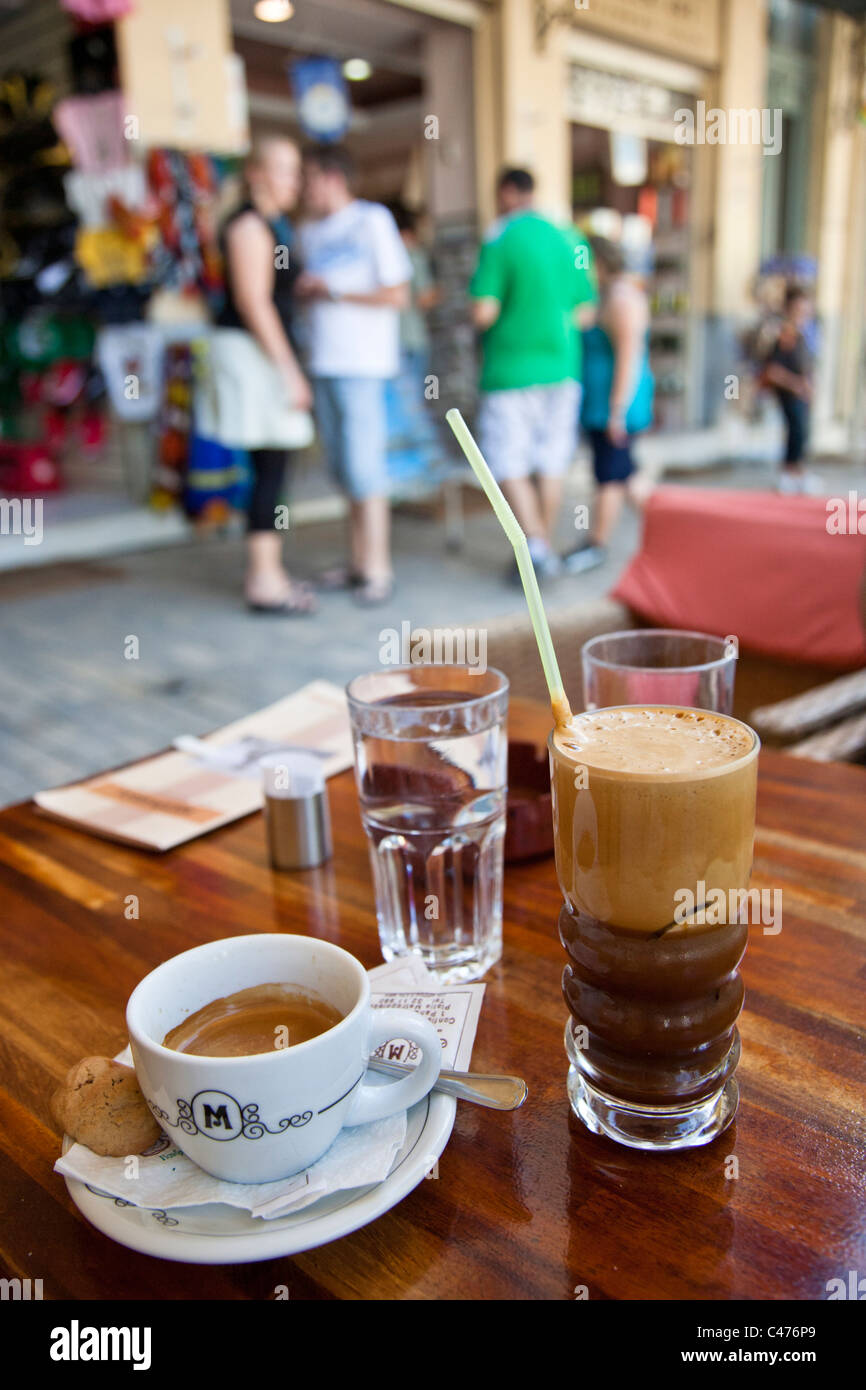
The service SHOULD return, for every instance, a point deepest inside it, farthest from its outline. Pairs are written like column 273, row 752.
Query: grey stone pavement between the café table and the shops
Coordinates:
column 73, row 705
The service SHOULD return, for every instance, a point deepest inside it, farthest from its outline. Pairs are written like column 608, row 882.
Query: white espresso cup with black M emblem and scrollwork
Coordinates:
column 268, row 1115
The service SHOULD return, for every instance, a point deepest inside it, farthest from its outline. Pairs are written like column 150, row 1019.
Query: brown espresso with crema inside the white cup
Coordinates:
column 265, row 1018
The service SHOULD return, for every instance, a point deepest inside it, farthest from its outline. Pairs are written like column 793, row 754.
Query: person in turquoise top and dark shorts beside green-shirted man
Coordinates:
column 618, row 397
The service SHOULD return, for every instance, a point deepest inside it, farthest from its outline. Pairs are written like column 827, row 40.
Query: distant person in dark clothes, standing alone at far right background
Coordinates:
column 789, row 372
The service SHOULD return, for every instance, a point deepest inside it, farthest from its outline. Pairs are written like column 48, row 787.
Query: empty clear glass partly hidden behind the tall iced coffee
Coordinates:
column 660, row 667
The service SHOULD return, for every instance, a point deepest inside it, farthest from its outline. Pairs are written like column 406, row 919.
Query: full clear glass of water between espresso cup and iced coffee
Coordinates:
column 432, row 768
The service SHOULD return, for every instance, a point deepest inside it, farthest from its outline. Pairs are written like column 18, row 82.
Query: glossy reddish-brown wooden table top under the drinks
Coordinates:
column 528, row 1206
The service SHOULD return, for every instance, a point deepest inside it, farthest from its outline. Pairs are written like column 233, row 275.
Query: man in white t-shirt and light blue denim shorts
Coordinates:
column 357, row 283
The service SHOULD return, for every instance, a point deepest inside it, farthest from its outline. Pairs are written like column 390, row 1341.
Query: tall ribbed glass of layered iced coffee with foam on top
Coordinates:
column 654, row 814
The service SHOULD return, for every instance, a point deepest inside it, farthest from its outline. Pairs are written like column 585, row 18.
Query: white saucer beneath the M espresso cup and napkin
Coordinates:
column 220, row 1235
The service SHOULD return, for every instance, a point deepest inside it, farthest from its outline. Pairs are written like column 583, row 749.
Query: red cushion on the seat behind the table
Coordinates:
column 755, row 565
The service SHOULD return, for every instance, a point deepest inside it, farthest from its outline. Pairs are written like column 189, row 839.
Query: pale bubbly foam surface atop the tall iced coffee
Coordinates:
column 654, row 742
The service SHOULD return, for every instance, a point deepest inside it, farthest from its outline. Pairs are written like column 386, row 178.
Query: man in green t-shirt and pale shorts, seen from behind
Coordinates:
column 528, row 290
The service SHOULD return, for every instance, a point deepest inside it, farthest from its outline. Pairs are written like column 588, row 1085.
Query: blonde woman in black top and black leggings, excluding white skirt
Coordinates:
column 262, row 269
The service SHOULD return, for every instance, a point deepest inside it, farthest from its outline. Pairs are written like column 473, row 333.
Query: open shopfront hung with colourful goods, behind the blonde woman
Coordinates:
column 127, row 236
